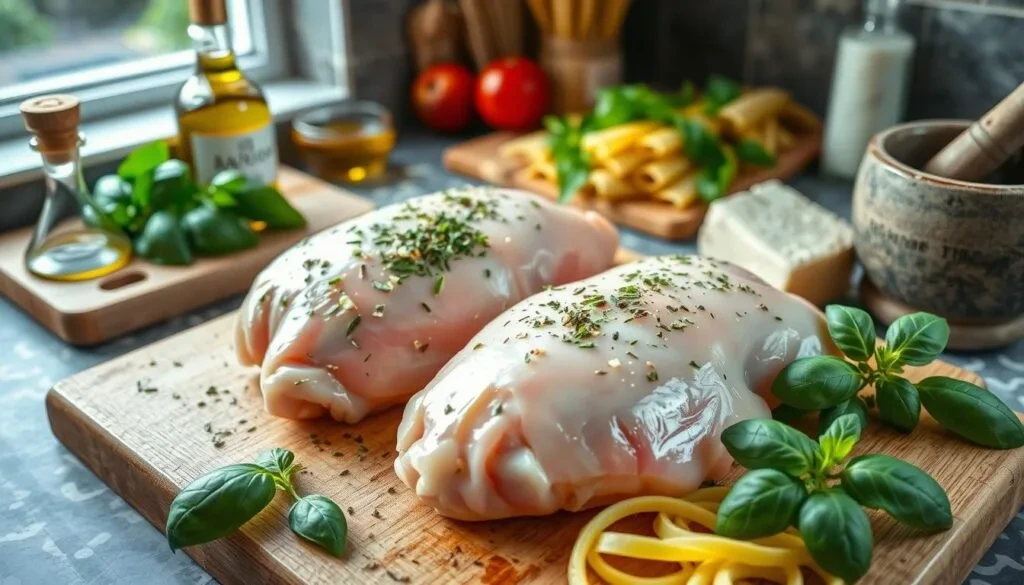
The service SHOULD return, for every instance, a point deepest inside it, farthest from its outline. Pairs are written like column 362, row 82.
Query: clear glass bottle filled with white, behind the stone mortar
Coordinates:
column 870, row 87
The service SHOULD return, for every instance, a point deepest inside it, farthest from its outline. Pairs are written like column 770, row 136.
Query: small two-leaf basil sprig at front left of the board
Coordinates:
column 219, row 504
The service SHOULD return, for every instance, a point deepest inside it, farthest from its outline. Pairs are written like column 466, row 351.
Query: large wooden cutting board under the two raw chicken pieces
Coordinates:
column 148, row 445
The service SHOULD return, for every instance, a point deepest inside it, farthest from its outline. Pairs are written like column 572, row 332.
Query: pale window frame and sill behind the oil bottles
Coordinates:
column 154, row 81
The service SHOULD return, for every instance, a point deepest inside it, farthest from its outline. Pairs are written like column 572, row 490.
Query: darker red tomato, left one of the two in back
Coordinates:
column 443, row 98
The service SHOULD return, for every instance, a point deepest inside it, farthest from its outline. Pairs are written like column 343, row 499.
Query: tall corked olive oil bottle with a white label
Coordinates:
column 224, row 119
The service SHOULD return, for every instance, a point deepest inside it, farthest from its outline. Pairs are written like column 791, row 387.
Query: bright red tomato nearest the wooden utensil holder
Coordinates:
column 513, row 94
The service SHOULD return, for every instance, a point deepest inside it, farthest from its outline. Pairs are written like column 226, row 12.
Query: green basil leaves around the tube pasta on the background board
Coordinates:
column 623, row 104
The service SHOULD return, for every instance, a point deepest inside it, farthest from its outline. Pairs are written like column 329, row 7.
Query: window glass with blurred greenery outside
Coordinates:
column 50, row 46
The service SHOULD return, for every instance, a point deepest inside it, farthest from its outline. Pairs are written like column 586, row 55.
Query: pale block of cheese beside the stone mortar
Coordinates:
column 783, row 237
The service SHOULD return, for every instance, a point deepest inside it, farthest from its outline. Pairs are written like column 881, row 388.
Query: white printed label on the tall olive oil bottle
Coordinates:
column 255, row 154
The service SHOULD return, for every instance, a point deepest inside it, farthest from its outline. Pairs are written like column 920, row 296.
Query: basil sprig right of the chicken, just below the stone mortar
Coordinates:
column 831, row 385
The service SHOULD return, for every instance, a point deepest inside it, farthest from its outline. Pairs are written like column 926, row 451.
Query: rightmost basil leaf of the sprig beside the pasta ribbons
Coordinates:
column 908, row 493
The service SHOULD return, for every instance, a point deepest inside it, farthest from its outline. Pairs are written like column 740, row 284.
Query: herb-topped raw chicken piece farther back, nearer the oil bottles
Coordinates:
column 363, row 316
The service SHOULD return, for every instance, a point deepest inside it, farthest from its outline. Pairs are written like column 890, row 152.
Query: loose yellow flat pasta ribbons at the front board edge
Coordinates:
column 704, row 559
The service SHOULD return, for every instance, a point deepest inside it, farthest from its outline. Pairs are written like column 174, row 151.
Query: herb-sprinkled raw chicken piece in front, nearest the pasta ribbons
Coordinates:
column 615, row 387
